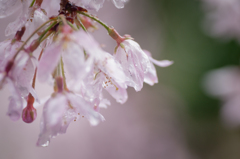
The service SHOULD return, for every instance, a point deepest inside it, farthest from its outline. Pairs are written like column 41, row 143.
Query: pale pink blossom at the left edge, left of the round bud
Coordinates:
column 19, row 81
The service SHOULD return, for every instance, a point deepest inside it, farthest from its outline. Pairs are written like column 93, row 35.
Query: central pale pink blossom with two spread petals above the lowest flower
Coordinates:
column 71, row 49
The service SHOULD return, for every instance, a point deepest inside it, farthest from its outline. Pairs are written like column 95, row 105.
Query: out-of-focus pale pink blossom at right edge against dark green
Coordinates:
column 224, row 83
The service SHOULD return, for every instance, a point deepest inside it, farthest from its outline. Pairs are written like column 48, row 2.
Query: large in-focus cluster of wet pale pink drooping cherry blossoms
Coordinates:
column 71, row 60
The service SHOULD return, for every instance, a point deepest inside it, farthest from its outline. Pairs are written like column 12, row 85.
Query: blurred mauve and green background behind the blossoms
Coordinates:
column 174, row 119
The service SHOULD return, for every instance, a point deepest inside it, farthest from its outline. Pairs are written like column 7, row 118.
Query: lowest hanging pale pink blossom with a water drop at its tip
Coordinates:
column 60, row 110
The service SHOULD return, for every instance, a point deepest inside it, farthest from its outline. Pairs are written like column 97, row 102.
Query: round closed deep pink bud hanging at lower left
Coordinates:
column 29, row 114
